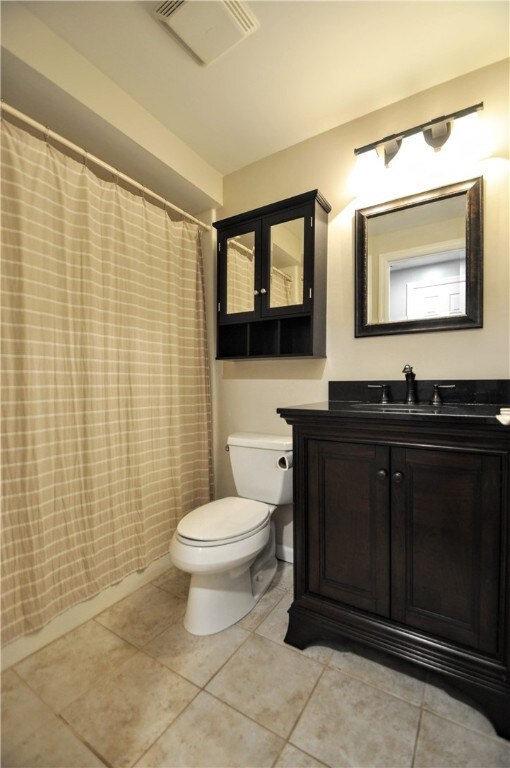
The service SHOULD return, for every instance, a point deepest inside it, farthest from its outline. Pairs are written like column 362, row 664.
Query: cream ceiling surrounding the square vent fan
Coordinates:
column 310, row 66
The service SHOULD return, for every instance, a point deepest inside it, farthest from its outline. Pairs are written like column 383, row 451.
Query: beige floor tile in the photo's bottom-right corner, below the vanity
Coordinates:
column 446, row 744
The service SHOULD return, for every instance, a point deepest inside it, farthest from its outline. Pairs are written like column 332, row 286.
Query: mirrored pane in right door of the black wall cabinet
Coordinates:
column 287, row 242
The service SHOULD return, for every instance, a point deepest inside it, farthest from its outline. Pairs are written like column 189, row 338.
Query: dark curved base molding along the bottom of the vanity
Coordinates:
column 482, row 679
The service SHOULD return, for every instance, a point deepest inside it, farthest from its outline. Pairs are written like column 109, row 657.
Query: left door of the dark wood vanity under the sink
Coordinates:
column 349, row 524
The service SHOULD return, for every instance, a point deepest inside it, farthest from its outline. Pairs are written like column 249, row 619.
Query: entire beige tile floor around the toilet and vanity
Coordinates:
column 132, row 688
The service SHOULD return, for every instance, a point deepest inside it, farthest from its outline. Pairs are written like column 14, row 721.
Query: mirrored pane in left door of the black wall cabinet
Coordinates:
column 241, row 273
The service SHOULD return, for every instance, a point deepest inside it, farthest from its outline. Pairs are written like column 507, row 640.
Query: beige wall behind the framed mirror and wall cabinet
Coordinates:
column 248, row 392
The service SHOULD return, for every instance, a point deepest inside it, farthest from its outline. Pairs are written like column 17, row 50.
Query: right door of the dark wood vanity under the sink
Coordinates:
column 445, row 558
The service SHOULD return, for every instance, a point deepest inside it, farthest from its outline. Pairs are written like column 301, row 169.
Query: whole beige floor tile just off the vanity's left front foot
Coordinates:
column 267, row 682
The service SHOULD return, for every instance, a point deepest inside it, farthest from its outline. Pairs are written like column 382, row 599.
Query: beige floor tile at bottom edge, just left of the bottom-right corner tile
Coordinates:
column 349, row 723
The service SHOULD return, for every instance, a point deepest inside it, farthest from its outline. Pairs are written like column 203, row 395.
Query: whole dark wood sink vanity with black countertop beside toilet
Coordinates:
column 401, row 534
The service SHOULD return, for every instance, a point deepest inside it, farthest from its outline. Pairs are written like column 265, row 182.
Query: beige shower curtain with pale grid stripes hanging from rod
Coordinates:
column 106, row 412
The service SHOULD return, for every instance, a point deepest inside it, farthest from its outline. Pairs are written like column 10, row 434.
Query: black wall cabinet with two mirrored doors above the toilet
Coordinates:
column 272, row 265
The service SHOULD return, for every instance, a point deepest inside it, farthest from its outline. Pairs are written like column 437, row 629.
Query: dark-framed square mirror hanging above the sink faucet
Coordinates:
column 419, row 262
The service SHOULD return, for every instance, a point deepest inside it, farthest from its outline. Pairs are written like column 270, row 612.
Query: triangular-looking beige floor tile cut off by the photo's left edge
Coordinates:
column 22, row 712
